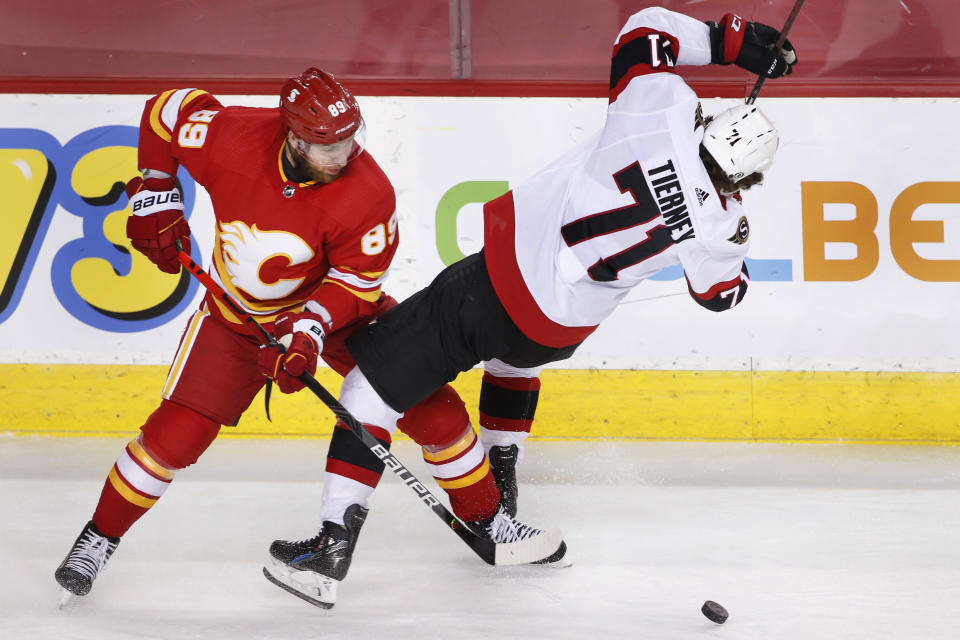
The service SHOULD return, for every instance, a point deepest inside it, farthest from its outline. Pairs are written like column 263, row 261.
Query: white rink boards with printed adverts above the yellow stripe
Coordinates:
column 874, row 294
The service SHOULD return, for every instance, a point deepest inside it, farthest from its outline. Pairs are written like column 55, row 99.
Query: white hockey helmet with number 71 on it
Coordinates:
column 741, row 140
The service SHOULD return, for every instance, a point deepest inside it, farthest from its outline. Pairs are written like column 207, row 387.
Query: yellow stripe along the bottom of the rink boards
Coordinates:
column 887, row 407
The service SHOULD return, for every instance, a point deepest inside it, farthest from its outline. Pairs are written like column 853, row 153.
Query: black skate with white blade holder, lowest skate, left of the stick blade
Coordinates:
column 312, row 569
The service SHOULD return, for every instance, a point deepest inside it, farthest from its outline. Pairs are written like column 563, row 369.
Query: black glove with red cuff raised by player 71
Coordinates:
column 751, row 46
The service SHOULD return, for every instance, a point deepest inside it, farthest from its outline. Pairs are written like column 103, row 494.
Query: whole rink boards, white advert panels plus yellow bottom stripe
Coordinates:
column 847, row 331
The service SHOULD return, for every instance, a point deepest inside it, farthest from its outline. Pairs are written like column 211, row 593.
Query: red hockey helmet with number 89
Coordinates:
column 318, row 109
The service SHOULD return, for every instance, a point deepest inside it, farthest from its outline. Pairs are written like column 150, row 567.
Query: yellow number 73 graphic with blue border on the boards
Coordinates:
column 97, row 277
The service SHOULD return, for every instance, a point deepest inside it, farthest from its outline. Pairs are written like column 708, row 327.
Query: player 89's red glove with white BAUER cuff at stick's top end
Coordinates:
column 157, row 221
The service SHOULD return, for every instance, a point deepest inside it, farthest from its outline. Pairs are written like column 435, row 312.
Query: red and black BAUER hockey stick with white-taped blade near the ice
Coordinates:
column 524, row 552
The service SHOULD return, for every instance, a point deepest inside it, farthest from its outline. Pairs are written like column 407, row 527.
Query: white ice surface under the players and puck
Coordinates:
column 796, row 541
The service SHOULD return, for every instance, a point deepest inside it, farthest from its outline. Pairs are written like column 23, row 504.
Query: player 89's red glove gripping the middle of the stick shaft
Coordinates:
column 302, row 333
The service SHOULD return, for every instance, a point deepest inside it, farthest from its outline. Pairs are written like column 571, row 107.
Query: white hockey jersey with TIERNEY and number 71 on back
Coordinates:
column 564, row 247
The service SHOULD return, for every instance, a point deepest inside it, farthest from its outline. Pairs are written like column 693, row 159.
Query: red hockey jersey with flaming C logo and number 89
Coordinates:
column 278, row 243
